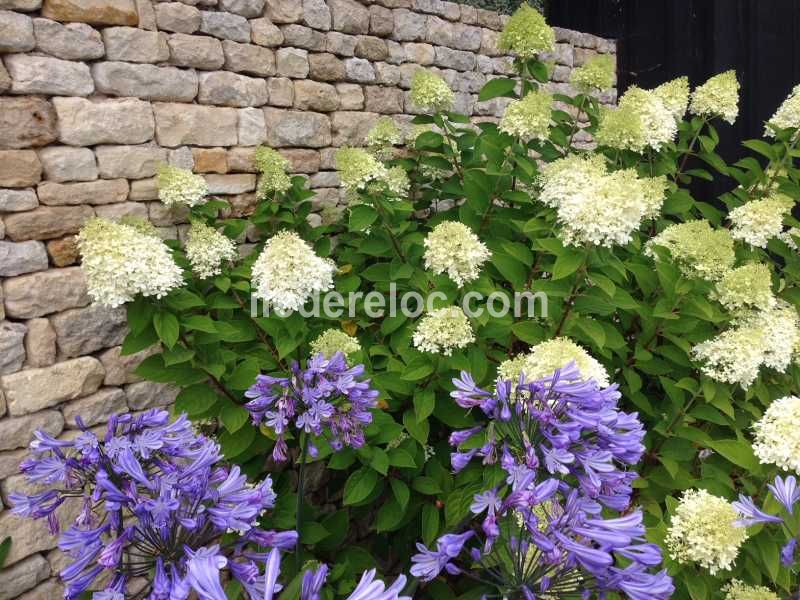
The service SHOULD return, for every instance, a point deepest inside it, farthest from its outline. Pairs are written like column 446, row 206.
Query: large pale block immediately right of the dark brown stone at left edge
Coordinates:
column 84, row 122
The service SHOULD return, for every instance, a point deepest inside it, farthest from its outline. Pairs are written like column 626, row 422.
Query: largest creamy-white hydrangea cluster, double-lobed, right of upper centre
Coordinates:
column 596, row 206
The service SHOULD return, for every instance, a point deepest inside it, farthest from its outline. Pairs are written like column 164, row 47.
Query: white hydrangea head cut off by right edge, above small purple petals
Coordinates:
column 777, row 434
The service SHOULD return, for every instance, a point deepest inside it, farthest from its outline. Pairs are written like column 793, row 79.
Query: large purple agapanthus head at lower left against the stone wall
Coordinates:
column 156, row 502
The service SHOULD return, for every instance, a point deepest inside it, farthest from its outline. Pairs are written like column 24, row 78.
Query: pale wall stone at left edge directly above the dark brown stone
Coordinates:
column 45, row 75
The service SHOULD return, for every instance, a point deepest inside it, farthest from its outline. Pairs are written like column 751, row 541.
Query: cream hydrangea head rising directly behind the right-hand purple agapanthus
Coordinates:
column 548, row 356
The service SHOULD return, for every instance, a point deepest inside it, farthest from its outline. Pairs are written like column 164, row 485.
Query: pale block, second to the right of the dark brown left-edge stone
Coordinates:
column 186, row 124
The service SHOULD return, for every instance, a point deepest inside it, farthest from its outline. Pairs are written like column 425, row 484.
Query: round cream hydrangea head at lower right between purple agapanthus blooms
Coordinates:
column 703, row 531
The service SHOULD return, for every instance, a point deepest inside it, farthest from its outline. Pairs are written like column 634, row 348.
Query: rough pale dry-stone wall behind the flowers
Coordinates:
column 95, row 94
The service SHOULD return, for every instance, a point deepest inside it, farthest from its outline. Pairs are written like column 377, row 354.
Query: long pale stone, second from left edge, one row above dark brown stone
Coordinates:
column 146, row 81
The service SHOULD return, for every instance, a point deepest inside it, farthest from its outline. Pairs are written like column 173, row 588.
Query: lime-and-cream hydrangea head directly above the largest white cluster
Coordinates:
column 641, row 120
